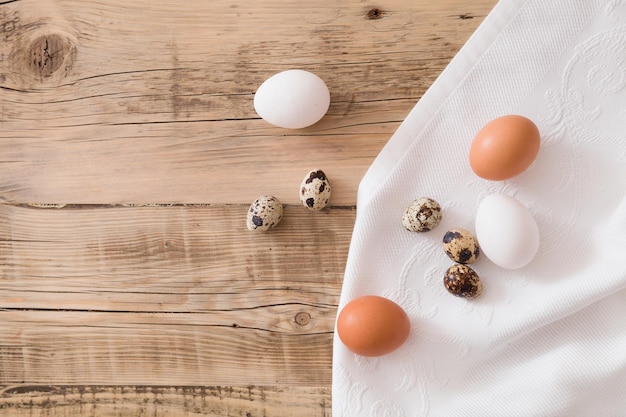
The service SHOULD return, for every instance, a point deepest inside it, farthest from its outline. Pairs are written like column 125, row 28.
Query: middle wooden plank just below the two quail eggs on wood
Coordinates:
column 174, row 259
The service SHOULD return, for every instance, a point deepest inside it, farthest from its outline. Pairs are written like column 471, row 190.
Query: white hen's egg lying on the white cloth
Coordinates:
column 506, row 231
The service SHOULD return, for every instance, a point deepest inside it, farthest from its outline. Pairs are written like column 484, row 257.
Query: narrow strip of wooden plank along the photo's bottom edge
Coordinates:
column 157, row 401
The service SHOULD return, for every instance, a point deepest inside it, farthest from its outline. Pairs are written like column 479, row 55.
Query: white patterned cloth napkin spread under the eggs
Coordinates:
column 545, row 340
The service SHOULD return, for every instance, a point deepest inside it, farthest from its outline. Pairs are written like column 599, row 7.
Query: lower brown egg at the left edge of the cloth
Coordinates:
column 373, row 326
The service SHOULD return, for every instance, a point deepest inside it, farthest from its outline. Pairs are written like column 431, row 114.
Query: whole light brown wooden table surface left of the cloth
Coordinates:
column 129, row 153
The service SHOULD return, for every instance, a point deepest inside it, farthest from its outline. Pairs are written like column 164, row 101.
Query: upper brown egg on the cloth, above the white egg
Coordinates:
column 504, row 147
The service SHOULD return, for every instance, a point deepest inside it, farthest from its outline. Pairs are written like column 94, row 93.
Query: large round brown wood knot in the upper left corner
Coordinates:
column 48, row 54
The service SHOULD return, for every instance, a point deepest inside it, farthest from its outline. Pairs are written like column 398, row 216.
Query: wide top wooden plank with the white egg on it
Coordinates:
column 152, row 101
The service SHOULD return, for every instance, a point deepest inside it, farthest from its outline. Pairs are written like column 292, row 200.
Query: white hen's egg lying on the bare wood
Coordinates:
column 292, row 99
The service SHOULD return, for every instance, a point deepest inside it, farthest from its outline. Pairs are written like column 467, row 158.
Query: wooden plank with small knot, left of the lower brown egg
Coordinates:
column 86, row 348
